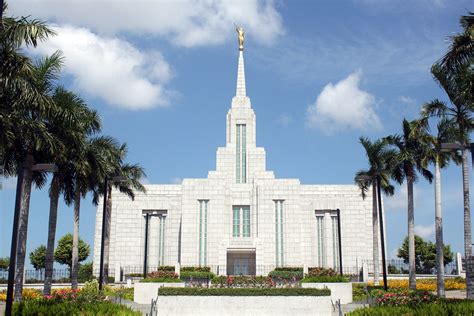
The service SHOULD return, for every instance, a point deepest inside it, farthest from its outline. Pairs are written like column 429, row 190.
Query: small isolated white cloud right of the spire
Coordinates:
column 343, row 106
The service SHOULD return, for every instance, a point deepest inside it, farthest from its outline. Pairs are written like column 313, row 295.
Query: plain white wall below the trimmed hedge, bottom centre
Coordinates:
column 244, row 305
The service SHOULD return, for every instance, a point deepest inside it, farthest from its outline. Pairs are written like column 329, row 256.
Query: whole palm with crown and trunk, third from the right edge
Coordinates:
column 411, row 147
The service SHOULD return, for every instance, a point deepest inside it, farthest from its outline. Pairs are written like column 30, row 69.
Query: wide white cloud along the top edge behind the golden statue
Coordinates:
column 185, row 23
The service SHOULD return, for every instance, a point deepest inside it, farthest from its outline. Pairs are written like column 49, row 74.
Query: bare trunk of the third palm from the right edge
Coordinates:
column 411, row 235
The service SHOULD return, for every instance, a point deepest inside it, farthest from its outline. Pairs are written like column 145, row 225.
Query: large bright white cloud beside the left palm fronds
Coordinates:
column 111, row 68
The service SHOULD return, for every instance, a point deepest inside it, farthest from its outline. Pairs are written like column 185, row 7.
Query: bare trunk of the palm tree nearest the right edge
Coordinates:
column 467, row 226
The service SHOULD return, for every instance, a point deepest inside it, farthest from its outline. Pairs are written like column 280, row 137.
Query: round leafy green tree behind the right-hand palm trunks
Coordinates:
column 425, row 255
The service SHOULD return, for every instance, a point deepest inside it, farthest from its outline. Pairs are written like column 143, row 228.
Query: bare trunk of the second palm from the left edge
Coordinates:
column 53, row 215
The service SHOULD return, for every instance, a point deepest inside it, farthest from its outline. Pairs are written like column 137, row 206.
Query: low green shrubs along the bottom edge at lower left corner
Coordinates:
column 52, row 307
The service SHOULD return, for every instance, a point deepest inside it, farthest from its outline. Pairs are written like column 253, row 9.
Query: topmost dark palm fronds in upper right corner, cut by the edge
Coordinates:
column 461, row 51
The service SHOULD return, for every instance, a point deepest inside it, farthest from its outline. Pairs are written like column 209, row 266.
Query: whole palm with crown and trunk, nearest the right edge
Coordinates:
column 459, row 87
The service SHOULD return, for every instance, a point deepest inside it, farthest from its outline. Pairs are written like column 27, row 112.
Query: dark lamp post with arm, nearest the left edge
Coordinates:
column 30, row 166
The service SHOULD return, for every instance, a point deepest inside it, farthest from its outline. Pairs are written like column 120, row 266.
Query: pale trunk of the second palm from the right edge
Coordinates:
column 439, row 231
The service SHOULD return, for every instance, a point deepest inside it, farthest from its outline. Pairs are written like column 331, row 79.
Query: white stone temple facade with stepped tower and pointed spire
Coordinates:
column 240, row 219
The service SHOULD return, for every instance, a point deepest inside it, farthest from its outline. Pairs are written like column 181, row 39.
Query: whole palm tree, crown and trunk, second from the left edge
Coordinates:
column 86, row 122
